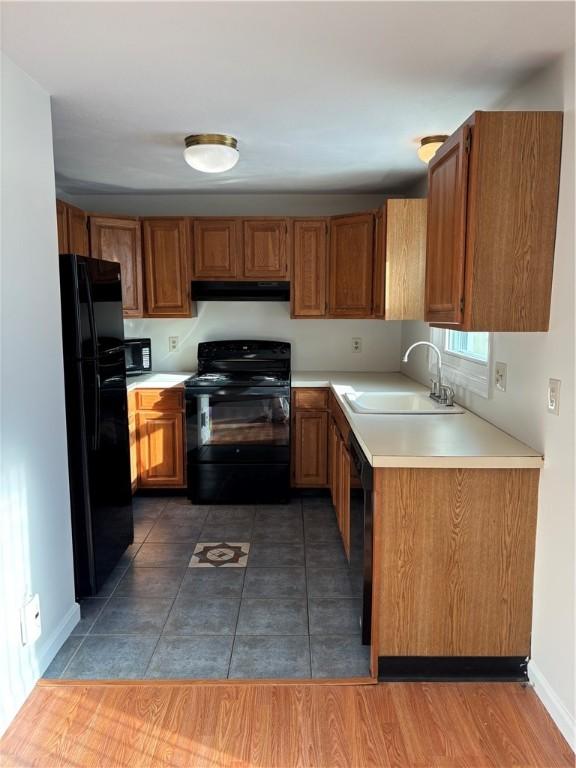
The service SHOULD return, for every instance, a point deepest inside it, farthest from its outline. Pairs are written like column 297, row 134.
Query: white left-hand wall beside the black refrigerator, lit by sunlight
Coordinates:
column 35, row 541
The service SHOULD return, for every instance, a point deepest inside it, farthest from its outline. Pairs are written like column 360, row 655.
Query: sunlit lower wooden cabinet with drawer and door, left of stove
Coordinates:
column 157, row 438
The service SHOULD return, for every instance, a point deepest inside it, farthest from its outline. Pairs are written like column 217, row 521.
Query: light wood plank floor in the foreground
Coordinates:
column 280, row 726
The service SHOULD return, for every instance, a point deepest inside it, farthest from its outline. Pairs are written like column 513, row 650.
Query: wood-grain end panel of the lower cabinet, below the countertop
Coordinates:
column 456, row 551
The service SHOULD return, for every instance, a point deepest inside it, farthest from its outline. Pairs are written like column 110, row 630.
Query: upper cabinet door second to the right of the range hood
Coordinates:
column 351, row 265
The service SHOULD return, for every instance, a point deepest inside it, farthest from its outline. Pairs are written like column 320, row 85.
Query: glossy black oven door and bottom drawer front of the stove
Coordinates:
column 238, row 444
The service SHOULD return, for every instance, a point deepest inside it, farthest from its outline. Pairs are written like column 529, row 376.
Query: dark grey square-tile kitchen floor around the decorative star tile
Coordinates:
column 289, row 613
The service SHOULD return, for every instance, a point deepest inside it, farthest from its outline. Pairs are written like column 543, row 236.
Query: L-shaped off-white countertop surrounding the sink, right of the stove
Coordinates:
column 433, row 441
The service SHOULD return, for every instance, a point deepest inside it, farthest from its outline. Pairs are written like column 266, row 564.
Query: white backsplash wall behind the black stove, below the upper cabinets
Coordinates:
column 316, row 344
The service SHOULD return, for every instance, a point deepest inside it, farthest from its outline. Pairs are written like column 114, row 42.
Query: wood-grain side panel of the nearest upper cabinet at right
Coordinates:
column 512, row 210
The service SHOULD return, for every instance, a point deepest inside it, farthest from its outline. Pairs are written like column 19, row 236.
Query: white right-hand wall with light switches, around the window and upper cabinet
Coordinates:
column 533, row 358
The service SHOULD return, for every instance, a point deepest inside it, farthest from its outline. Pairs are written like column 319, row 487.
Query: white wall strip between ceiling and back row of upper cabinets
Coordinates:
column 224, row 205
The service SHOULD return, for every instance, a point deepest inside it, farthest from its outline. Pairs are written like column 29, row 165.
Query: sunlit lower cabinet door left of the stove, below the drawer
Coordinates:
column 160, row 449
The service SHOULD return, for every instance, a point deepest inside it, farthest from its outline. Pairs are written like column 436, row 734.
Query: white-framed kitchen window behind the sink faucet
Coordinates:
column 466, row 359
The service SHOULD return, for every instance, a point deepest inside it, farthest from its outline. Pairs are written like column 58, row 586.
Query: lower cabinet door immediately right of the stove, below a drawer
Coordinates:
column 310, row 449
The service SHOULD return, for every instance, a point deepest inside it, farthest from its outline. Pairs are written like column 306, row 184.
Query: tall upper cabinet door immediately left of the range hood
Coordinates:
column 166, row 268
